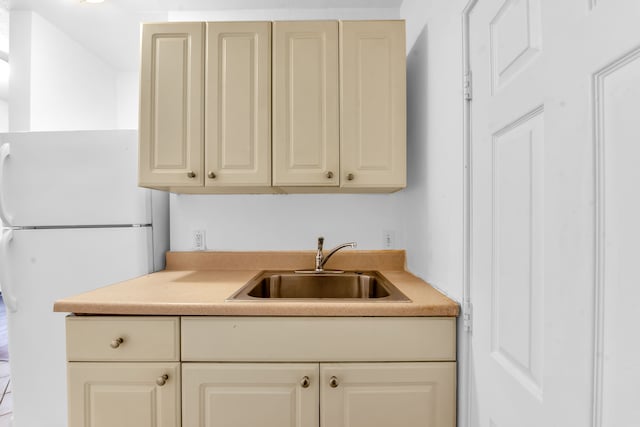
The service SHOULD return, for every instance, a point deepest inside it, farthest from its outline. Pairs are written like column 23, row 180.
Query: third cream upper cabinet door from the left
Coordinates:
column 305, row 104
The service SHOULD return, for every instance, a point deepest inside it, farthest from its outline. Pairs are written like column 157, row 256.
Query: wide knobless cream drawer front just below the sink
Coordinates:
column 318, row 339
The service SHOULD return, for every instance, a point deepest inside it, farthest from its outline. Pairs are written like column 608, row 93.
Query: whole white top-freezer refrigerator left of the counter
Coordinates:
column 74, row 220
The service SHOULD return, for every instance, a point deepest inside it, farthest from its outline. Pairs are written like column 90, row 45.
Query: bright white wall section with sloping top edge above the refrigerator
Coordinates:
column 56, row 83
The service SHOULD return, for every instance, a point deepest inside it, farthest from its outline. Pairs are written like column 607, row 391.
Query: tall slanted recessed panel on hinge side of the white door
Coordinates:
column 518, row 270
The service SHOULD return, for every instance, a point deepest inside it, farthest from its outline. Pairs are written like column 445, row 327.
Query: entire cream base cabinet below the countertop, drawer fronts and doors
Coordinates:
column 213, row 371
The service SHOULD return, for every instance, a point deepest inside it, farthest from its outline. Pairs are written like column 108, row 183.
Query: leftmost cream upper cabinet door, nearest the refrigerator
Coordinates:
column 171, row 104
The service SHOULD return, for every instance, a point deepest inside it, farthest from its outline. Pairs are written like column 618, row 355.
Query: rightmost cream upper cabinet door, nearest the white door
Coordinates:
column 373, row 103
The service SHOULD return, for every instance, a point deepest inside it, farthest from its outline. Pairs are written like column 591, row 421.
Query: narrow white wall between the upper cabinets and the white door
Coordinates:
column 433, row 200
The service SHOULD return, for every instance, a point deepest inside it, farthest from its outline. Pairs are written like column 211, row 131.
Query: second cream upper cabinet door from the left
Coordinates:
column 238, row 104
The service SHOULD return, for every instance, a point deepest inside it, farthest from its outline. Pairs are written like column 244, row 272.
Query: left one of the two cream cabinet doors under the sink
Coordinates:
column 250, row 395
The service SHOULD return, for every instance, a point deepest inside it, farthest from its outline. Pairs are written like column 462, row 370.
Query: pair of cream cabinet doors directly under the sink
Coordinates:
column 327, row 394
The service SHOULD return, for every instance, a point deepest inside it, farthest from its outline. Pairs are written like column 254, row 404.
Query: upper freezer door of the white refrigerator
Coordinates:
column 71, row 178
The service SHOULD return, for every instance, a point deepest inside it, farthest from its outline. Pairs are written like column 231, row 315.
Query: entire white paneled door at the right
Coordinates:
column 554, row 205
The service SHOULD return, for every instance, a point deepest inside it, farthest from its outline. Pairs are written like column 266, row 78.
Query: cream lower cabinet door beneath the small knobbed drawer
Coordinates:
column 124, row 394
